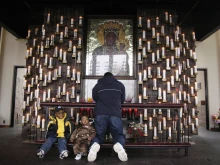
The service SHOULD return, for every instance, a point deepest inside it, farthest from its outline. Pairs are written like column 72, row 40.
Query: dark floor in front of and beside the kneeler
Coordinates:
column 205, row 150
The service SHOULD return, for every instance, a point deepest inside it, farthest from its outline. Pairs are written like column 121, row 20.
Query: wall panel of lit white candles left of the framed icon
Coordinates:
column 53, row 63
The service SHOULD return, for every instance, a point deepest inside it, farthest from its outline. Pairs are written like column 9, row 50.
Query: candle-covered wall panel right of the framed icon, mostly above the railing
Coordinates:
column 166, row 61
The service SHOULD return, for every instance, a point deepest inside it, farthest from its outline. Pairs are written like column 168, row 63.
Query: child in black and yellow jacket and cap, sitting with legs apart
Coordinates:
column 59, row 129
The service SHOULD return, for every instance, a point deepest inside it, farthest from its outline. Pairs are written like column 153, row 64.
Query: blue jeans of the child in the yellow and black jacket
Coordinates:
column 51, row 140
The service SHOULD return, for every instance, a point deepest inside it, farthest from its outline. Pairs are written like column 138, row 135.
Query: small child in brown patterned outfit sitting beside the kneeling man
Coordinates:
column 81, row 138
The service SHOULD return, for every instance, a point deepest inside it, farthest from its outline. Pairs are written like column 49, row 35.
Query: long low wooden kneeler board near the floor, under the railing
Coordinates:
column 182, row 145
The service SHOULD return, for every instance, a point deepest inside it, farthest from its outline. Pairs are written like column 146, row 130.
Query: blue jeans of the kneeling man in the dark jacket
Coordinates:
column 113, row 124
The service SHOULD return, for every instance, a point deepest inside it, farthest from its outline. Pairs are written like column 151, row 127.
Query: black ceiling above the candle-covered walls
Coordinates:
column 200, row 14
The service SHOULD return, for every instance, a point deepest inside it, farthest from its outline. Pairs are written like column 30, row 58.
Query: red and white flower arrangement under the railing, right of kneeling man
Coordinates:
column 135, row 130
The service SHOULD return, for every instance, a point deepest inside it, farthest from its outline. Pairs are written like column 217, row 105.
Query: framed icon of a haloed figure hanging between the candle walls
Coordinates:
column 109, row 46
